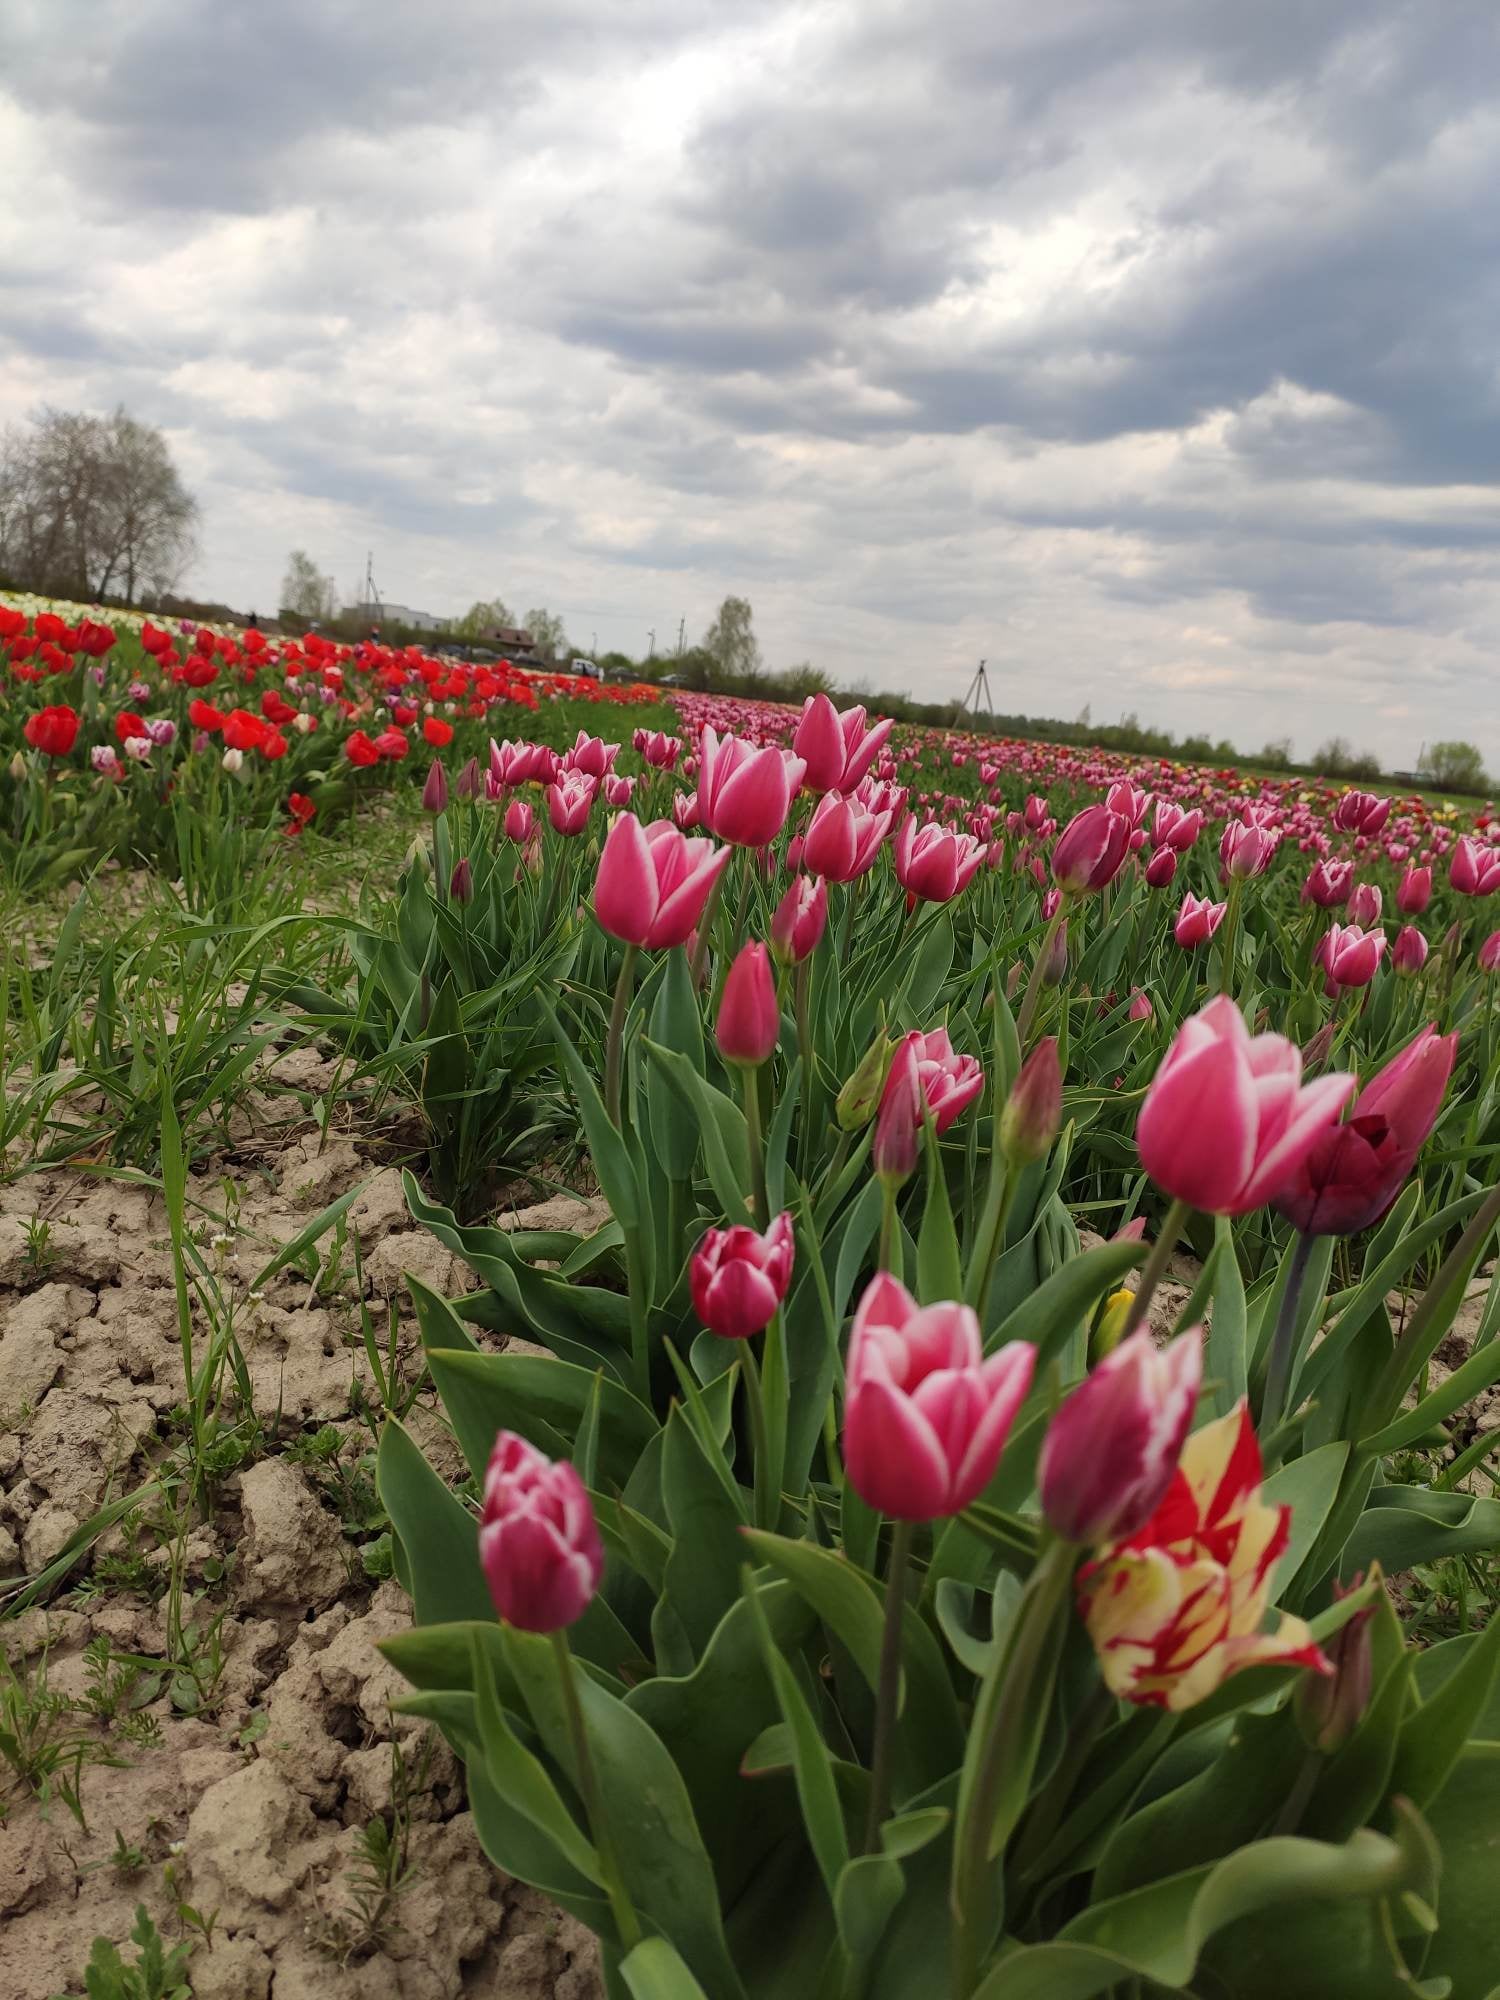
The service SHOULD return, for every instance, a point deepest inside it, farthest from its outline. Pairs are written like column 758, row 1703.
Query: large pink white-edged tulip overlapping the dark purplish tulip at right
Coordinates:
column 1229, row 1121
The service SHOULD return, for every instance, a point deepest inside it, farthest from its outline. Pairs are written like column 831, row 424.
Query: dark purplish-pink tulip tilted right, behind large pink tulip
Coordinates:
column 1351, row 1177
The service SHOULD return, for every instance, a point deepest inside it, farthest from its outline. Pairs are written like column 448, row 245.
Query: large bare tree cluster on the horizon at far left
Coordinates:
column 93, row 507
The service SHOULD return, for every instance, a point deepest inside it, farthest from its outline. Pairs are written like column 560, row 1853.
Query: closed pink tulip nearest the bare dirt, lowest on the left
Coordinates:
column 539, row 1545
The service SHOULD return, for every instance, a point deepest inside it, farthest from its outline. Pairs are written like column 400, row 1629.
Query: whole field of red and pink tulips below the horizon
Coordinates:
column 899, row 1395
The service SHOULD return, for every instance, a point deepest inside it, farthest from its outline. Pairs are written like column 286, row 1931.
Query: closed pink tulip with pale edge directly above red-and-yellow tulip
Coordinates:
column 1113, row 1447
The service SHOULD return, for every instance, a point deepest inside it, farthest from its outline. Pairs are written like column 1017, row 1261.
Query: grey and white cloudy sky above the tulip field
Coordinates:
column 1145, row 347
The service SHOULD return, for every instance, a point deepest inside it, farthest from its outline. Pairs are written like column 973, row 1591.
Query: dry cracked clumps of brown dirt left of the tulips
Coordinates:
column 257, row 1811
